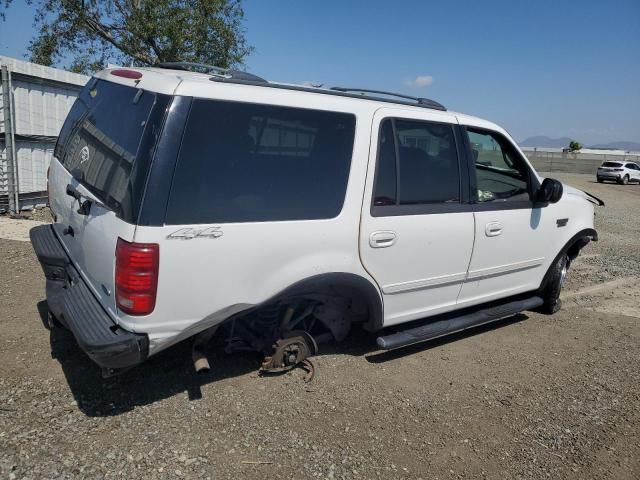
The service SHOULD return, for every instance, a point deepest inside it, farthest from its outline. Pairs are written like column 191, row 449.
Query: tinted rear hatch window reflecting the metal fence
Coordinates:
column 101, row 139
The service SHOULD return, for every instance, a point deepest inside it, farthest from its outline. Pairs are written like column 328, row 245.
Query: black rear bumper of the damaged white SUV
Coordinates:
column 72, row 302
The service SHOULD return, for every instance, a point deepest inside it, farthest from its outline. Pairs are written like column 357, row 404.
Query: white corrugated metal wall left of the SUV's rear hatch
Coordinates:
column 34, row 103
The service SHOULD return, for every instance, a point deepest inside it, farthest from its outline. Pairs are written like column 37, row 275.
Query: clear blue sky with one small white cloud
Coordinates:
column 544, row 67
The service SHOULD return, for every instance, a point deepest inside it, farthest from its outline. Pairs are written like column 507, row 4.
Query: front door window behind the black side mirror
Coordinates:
column 500, row 172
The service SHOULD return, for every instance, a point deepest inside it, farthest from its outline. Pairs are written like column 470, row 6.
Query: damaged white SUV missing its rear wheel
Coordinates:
column 276, row 217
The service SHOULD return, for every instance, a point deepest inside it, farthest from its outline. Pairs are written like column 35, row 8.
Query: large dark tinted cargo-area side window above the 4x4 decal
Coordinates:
column 242, row 162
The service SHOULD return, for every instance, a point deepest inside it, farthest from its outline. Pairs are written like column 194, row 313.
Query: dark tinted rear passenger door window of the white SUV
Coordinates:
column 427, row 161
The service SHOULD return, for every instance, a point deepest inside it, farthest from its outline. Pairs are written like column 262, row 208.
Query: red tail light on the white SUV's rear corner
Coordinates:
column 136, row 276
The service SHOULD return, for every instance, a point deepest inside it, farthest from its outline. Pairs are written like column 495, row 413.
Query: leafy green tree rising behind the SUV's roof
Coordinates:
column 85, row 35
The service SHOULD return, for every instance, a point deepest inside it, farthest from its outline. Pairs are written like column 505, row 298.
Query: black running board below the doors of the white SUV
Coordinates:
column 440, row 328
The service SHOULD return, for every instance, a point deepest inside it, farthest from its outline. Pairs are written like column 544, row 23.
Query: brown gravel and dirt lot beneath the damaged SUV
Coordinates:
column 533, row 397
